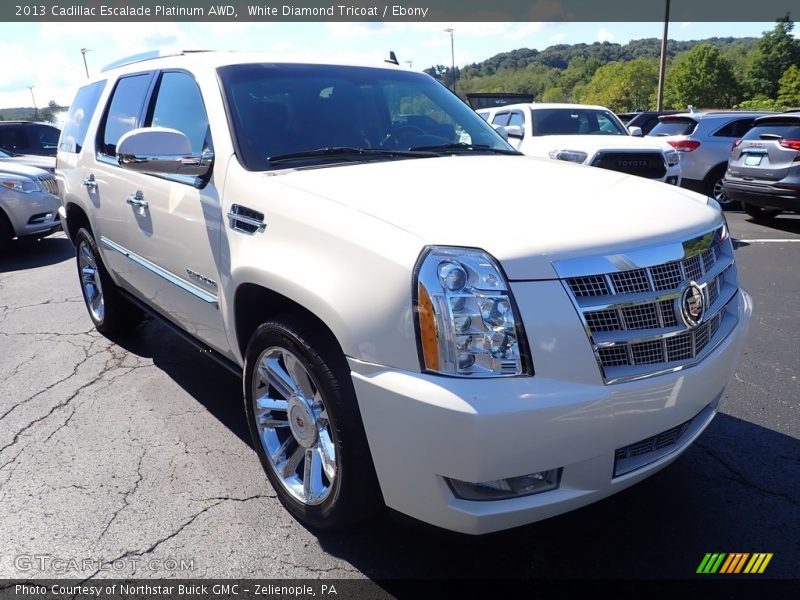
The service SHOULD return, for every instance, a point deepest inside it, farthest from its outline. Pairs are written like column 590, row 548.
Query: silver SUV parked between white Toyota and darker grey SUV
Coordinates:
column 705, row 141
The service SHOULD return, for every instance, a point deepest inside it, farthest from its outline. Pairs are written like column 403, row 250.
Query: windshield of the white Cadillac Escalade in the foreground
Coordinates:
column 293, row 110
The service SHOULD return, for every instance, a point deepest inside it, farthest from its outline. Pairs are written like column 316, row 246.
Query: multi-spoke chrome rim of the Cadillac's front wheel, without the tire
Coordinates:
column 293, row 427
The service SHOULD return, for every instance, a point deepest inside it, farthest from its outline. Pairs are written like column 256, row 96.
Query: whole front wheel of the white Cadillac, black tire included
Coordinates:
column 319, row 464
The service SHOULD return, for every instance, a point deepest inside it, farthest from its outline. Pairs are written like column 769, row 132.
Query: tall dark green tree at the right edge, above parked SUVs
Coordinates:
column 776, row 51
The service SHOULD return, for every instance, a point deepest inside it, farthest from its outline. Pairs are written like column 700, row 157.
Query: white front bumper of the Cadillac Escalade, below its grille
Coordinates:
column 423, row 429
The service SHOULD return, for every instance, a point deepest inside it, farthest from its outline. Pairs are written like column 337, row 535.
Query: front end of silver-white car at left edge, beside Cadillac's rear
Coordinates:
column 28, row 202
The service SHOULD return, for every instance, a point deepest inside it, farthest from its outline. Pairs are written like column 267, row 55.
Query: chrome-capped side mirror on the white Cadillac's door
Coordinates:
column 162, row 150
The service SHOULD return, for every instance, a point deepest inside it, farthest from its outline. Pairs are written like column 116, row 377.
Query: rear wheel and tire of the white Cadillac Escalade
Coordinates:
column 110, row 312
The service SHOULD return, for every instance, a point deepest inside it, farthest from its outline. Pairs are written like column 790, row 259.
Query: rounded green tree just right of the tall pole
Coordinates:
column 701, row 77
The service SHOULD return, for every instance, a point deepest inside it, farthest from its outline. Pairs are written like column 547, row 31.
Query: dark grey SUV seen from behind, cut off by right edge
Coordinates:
column 764, row 168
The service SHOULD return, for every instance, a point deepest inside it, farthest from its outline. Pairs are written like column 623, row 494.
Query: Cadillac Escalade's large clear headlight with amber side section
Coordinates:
column 467, row 322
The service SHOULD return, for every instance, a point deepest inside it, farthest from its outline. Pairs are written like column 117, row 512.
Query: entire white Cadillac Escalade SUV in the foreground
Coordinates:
column 423, row 317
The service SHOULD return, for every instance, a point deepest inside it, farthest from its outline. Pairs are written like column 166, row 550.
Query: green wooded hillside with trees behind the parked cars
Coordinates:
column 719, row 72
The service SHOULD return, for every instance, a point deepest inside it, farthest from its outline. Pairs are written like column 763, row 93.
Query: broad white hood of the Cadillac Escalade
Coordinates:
column 524, row 211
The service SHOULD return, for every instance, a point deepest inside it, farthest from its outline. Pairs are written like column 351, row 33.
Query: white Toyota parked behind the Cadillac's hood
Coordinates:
column 589, row 135
